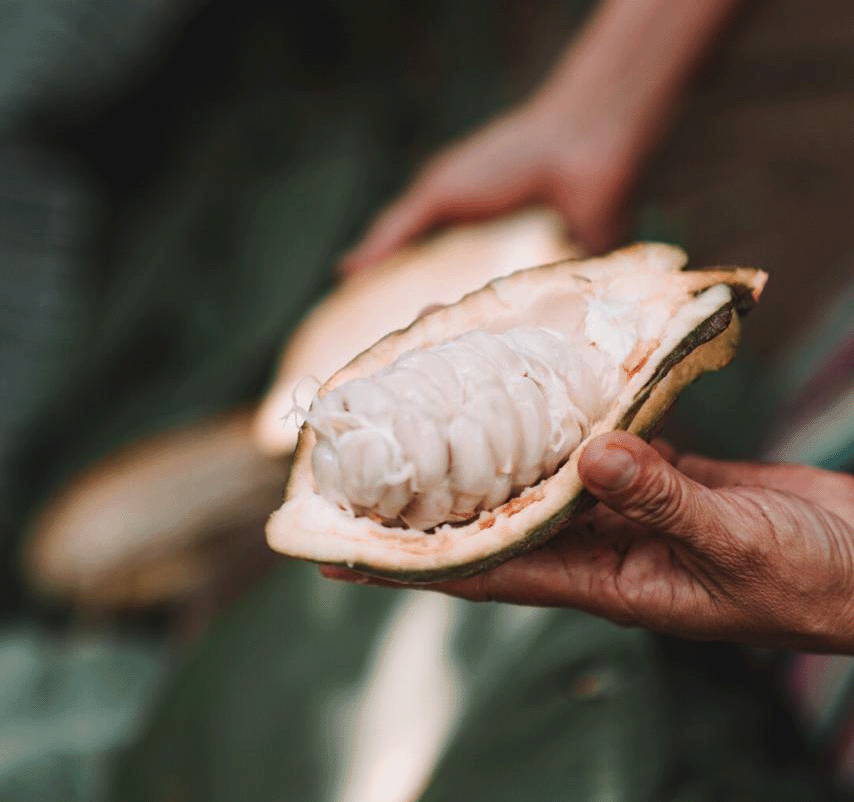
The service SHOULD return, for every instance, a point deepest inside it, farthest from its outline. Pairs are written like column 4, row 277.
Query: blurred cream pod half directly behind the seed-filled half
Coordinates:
column 389, row 296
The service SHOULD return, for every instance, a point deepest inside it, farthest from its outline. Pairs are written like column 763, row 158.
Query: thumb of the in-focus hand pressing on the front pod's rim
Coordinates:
column 633, row 479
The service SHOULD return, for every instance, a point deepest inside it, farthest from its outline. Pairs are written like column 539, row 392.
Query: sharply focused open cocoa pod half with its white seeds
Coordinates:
column 561, row 353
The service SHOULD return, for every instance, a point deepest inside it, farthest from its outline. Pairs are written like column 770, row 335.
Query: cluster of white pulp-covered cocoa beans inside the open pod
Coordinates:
column 446, row 432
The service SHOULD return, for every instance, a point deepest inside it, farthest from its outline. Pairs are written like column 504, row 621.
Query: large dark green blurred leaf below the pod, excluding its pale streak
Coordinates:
column 555, row 705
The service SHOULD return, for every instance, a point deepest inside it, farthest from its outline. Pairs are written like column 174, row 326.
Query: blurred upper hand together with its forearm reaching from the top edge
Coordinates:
column 578, row 144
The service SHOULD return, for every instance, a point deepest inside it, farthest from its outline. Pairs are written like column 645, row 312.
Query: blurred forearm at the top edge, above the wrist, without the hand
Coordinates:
column 632, row 60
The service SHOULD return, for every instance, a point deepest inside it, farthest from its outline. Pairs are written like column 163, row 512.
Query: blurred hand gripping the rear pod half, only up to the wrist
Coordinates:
column 529, row 155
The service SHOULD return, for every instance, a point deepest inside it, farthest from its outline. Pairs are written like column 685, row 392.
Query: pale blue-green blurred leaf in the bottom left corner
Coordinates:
column 66, row 706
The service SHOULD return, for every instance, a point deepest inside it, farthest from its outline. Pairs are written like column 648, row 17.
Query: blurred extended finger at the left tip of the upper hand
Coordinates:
column 413, row 214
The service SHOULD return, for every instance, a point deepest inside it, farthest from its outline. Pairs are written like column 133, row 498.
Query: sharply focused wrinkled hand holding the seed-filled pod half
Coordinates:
column 757, row 554
